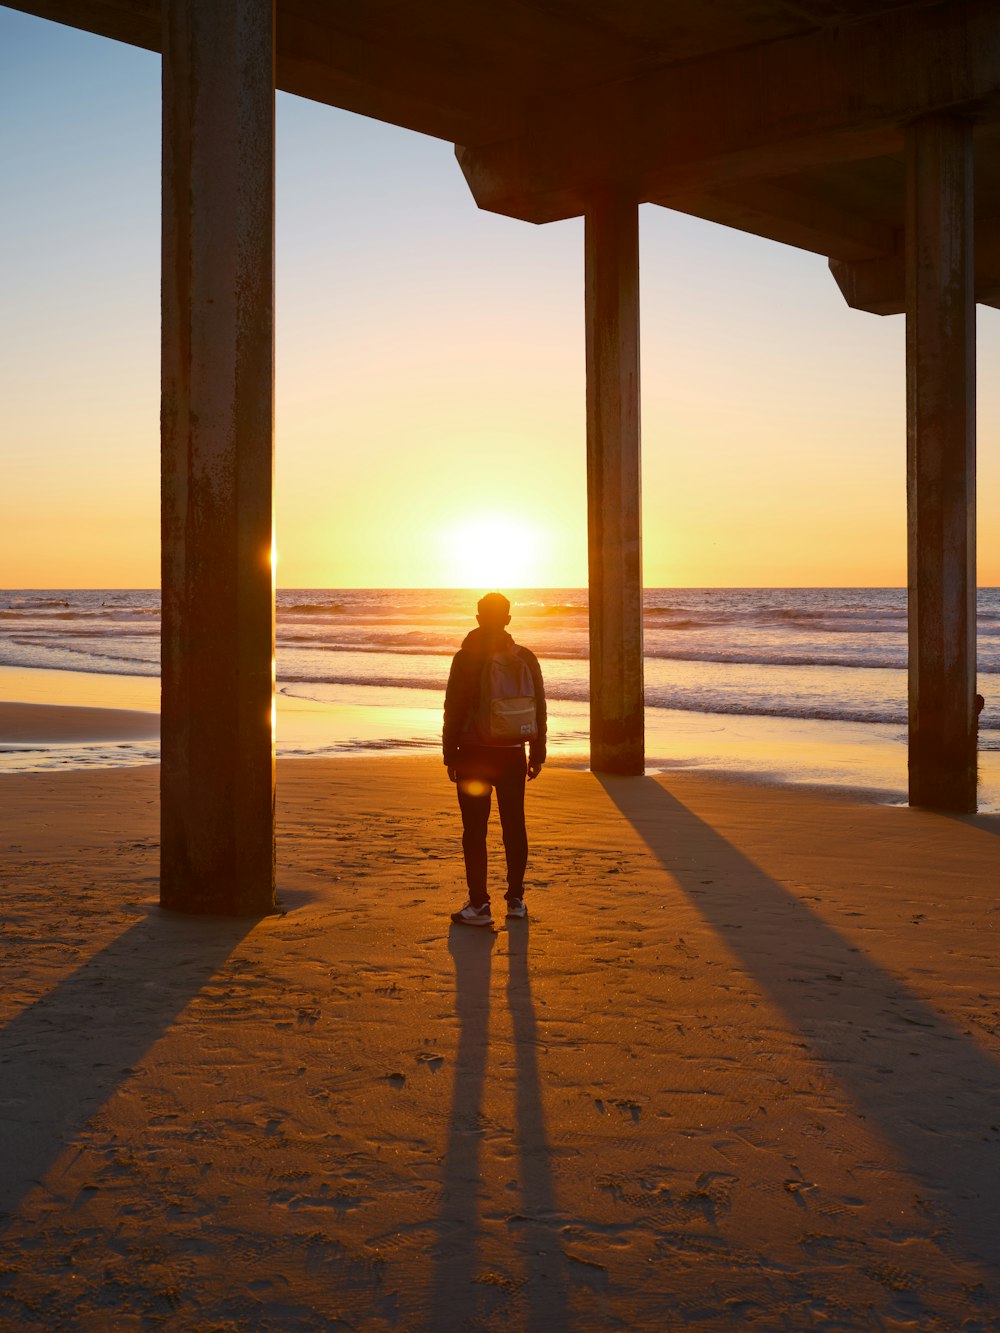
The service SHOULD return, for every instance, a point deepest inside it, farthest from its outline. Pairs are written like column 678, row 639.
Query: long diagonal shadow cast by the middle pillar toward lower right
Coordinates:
column 930, row 1091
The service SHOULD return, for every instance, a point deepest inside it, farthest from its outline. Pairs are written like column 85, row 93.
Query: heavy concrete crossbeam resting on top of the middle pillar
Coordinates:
column 779, row 110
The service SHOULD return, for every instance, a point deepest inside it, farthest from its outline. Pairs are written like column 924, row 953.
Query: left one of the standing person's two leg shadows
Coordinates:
column 453, row 1290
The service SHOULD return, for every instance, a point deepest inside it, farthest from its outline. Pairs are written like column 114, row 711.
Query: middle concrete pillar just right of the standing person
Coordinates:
column 614, row 491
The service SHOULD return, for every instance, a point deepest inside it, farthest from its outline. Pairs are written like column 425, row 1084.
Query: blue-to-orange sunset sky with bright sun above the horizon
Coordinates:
column 430, row 367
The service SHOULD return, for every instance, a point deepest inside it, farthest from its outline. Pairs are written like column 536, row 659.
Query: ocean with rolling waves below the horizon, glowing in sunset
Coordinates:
column 762, row 668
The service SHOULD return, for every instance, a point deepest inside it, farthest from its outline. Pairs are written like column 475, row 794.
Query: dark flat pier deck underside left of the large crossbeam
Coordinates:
column 477, row 71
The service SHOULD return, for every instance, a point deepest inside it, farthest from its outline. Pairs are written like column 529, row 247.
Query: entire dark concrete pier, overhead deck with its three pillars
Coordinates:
column 846, row 127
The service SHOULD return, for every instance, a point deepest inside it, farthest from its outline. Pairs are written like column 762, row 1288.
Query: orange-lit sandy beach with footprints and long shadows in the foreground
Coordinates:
column 738, row 1068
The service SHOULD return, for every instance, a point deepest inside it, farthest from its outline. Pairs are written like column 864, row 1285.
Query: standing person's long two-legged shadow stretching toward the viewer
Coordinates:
column 455, row 1295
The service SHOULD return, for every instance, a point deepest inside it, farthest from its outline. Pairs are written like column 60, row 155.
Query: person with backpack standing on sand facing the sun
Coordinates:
column 494, row 706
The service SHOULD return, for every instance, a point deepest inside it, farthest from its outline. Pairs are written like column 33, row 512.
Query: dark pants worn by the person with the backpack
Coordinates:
column 481, row 770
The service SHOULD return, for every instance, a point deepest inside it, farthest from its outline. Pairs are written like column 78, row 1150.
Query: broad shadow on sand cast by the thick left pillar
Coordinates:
column 63, row 1056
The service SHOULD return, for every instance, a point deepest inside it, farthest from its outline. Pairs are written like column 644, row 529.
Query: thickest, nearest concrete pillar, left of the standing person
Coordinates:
column 218, row 766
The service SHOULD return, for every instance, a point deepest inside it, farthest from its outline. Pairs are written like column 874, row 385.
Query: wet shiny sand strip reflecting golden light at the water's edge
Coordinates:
column 85, row 722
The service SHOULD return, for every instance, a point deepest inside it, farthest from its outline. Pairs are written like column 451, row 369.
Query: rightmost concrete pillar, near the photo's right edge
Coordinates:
column 942, row 465
